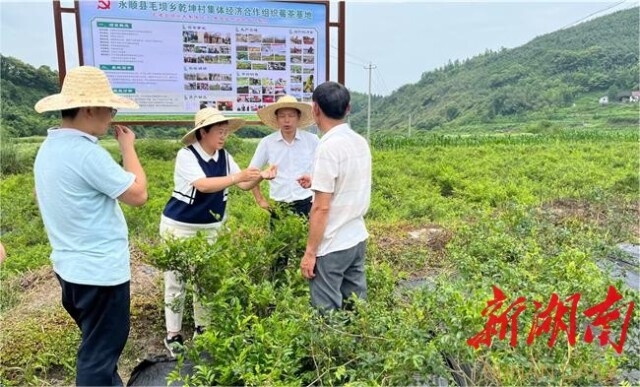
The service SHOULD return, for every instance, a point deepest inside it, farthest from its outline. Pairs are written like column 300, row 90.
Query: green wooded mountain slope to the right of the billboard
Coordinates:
column 550, row 71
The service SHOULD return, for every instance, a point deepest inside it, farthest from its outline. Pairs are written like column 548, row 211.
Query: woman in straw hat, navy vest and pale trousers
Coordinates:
column 203, row 173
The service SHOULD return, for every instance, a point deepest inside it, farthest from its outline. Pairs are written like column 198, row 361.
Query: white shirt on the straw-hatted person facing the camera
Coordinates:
column 293, row 160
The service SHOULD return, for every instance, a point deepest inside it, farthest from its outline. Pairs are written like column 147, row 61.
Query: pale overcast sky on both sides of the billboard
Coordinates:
column 402, row 39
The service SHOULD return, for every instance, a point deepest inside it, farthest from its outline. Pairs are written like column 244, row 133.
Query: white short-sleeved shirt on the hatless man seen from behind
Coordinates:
column 342, row 166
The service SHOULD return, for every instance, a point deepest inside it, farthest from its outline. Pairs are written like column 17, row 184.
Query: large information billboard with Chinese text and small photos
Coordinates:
column 176, row 57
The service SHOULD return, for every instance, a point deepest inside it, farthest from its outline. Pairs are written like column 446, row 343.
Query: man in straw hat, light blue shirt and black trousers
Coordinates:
column 78, row 185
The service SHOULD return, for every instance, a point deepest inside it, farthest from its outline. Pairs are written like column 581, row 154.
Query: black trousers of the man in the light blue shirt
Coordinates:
column 102, row 314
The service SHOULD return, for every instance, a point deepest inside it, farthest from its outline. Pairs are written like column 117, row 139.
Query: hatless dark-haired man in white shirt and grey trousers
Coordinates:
column 341, row 182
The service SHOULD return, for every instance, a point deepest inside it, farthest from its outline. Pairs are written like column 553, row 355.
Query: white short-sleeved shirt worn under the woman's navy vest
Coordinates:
column 186, row 172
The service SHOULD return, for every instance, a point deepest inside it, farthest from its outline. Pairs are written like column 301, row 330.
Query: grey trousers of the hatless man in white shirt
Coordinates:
column 339, row 275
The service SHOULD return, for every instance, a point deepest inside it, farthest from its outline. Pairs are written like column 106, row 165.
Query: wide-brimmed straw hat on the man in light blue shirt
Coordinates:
column 84, row 86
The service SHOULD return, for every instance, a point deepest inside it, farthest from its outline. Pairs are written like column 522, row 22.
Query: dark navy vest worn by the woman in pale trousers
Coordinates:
column 205, row 207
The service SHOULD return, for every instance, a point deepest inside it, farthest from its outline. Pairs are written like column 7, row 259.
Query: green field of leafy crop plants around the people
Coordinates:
column 451, row 216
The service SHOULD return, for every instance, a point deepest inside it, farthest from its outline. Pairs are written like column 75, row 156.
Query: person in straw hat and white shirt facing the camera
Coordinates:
column 292, row 151
